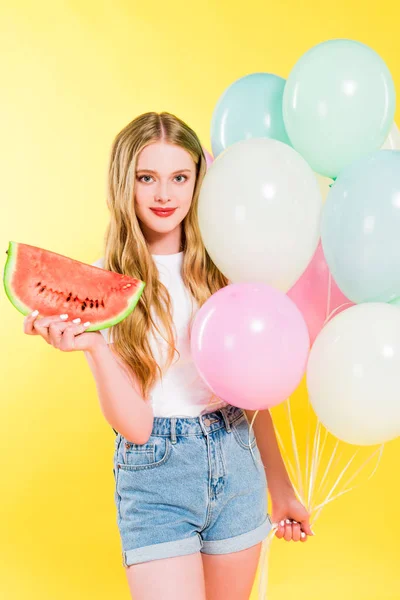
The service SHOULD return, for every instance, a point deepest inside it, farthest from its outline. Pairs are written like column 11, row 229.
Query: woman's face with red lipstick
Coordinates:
column 165, row 178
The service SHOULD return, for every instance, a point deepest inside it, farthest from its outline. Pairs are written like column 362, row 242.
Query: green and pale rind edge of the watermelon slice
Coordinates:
column 25, row 310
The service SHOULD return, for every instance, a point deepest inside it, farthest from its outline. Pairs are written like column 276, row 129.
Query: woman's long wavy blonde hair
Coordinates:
column 127, row 252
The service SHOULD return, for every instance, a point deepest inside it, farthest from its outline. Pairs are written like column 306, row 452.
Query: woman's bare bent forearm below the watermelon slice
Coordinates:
column 121, row 403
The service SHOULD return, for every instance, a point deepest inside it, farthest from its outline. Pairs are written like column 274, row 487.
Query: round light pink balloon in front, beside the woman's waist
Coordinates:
column 250, row 344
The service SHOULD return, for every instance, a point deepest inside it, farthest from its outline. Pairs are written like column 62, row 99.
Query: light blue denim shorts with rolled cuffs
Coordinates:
column 195, row 485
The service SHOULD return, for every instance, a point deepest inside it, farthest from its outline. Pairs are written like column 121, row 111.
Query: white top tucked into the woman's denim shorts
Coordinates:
column 181, row 392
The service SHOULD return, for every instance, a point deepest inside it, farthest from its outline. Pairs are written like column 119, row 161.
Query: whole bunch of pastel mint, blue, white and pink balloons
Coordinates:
column 300, row 210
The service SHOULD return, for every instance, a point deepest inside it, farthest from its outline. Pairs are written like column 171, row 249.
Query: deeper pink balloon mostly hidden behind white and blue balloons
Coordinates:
column 311, row 294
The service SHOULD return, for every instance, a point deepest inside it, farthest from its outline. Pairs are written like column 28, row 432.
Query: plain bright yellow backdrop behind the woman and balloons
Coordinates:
column 73, row 73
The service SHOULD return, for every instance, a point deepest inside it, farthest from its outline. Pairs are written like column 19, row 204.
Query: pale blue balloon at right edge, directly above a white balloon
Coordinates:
column 360, row 228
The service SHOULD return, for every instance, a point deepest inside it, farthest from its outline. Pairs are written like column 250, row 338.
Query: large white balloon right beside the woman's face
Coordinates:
column 259, row 212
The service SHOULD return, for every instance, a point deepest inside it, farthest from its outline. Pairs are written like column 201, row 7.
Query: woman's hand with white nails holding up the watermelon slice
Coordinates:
column 63, row 334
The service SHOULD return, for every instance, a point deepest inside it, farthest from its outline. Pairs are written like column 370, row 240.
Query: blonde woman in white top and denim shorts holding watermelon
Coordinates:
column 191, row 502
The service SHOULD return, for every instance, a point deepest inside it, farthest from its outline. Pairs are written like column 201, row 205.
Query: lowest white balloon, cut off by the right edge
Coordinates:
column 353, row 374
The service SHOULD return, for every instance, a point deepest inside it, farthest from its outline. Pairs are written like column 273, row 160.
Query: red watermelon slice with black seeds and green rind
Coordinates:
column 54, row 284
